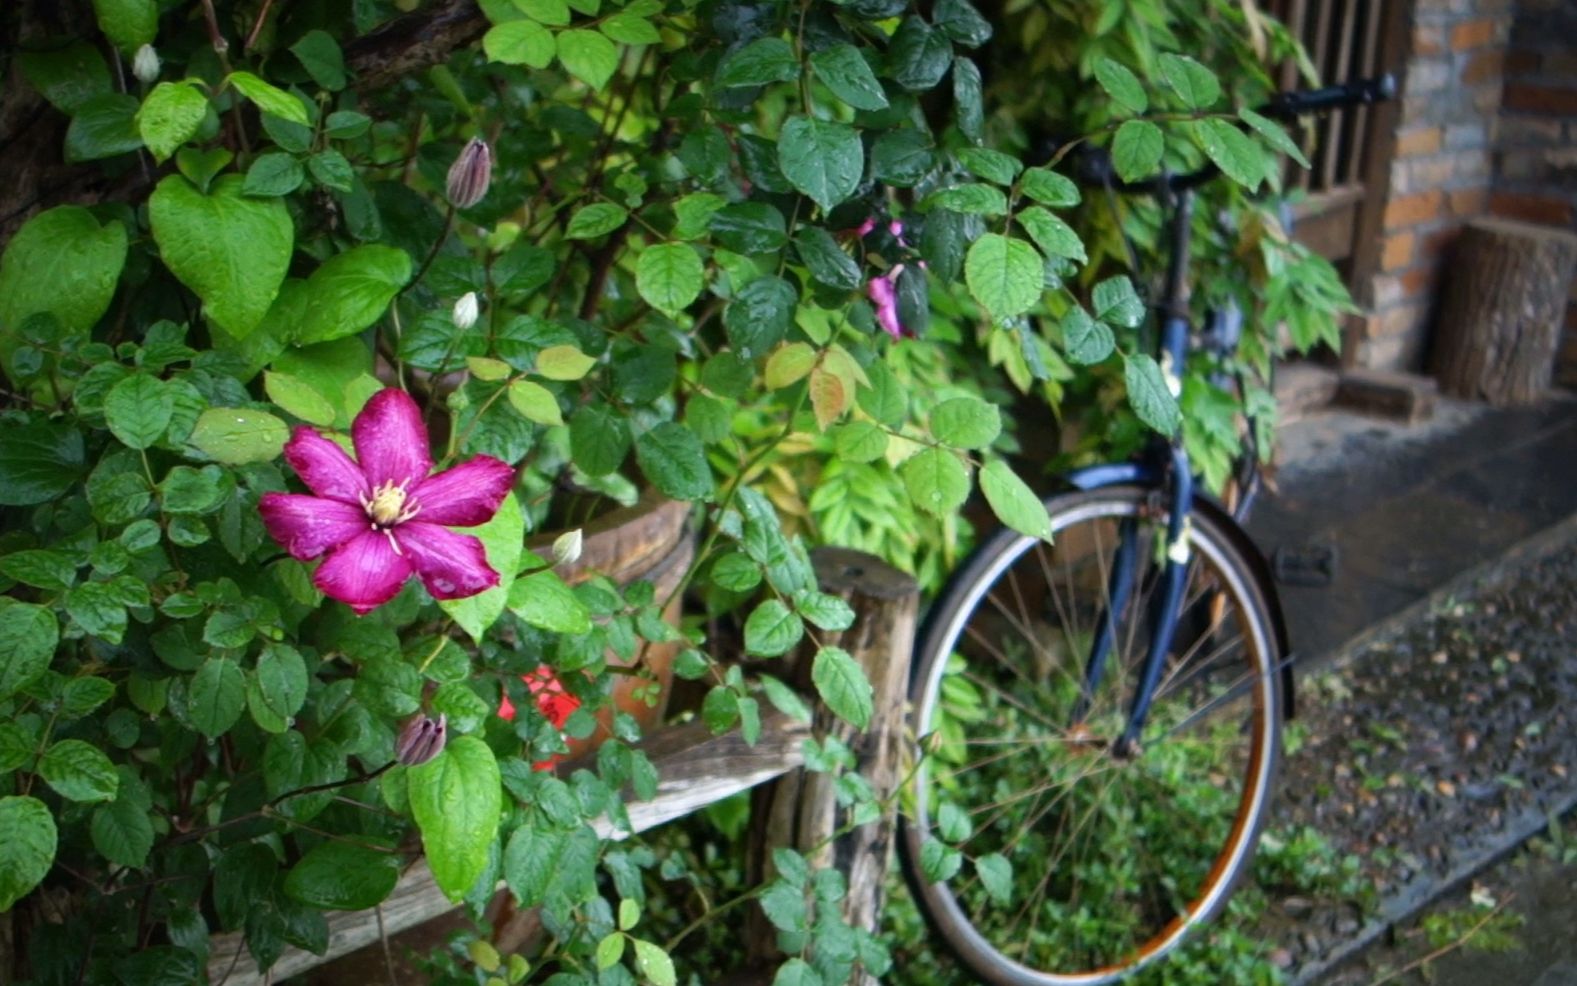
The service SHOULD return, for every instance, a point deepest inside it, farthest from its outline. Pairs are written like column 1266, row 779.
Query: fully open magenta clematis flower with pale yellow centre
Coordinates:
column 381, row 518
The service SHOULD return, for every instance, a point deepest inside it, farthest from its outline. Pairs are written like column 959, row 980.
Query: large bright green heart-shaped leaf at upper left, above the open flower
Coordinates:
column 231, row 250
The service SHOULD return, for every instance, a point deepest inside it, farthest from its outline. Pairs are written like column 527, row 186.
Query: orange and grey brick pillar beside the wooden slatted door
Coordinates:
column 1442, row 170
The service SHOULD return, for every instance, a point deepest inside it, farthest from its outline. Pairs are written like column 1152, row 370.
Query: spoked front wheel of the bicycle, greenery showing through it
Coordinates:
column 1228, row 679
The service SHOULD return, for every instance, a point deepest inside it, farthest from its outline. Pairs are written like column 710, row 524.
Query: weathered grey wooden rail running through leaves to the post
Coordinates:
column 695, row 769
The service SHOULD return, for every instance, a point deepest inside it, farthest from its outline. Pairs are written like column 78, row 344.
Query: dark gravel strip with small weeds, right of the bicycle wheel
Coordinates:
column 1436, row 749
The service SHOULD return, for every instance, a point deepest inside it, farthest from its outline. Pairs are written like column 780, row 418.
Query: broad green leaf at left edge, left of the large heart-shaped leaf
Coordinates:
column 61, row 263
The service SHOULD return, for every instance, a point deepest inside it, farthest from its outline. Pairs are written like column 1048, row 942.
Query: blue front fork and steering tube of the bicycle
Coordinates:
column 1166, row 466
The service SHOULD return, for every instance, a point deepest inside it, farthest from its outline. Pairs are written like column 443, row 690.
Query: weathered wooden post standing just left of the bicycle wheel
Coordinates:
column 800, row 810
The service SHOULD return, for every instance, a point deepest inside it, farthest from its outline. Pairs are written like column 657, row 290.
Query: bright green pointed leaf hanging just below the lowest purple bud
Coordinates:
column 457, row 799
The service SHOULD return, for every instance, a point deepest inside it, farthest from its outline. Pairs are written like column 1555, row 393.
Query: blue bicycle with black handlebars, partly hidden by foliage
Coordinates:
column 1136, row 667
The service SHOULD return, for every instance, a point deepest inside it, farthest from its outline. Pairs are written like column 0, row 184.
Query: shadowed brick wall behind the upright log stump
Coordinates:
column 1535, row 151
